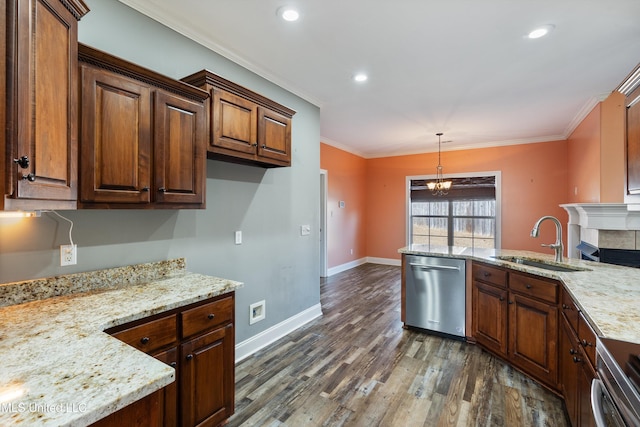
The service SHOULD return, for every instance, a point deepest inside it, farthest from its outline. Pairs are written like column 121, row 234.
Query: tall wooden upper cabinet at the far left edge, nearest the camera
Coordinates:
column 39, row 82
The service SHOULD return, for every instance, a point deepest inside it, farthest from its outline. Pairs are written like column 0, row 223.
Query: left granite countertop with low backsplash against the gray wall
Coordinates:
column 57, row 366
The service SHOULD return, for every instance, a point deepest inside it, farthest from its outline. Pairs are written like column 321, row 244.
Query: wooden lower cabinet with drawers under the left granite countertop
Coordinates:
column 199, row 342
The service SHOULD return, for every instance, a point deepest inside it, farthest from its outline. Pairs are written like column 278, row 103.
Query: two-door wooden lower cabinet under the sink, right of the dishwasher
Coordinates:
column 515, row 316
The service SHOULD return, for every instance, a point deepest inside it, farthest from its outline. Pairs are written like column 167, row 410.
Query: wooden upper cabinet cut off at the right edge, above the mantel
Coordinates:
column 631, row 89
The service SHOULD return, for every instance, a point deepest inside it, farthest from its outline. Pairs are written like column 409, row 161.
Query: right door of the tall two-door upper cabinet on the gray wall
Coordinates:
column 179, row 149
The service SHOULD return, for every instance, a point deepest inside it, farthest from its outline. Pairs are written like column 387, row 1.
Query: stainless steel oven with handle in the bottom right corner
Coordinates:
column 615, row 394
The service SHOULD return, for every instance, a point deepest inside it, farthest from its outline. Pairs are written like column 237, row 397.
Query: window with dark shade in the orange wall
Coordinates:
column 465, row 217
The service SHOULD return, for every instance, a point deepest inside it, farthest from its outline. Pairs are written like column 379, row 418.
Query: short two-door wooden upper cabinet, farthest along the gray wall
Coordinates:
column 244, row 127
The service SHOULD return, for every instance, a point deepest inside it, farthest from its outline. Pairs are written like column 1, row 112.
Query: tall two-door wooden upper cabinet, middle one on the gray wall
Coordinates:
column 143, row 138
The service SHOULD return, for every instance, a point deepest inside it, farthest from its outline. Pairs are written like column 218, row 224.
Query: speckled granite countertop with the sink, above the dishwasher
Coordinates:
column 608, row 295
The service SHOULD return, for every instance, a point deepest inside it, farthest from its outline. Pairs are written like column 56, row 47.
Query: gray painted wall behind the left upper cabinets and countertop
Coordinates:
column 268, row 205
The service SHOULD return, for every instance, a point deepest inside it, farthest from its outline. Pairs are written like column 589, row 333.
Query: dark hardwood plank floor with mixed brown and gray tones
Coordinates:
column 357, row 366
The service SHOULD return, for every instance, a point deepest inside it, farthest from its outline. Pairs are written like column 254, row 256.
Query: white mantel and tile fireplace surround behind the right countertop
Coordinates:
column 604, row 225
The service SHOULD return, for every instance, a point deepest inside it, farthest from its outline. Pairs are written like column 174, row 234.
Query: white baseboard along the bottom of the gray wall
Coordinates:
column 247, row 347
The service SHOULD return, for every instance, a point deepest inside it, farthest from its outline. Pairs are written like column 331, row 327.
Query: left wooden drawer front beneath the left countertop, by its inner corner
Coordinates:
column 152, row 335
